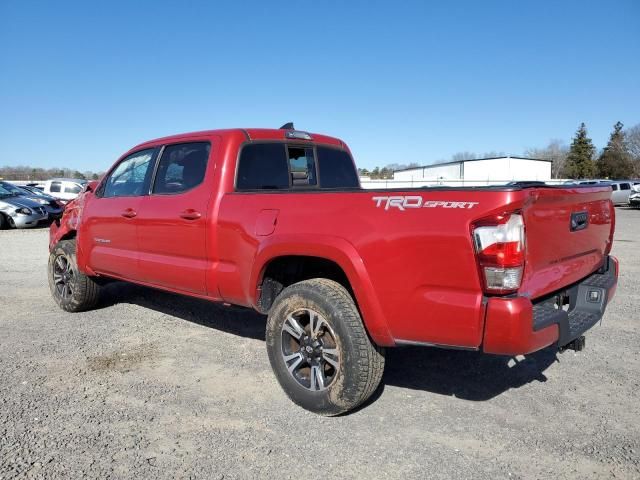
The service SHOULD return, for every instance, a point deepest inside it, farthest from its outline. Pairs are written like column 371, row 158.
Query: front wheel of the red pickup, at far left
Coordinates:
column 72, row 290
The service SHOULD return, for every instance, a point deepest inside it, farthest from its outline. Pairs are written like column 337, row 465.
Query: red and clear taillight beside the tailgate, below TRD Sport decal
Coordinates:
column 499, row 243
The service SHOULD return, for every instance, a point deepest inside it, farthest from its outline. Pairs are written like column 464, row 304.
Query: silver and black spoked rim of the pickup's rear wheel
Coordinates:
column 309, row 349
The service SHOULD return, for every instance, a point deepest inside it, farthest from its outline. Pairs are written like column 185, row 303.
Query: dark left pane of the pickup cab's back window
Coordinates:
column 263, row 166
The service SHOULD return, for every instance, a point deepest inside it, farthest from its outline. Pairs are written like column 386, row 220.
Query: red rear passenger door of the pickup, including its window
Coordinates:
column 173, row 219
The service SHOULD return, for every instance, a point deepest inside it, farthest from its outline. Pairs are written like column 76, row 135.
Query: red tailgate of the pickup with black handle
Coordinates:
column 568, row 231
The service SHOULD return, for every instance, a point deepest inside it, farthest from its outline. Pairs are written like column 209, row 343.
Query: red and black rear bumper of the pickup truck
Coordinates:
column 516, row 326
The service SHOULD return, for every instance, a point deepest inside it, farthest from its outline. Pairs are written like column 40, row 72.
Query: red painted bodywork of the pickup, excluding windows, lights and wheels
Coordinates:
column 414, row 272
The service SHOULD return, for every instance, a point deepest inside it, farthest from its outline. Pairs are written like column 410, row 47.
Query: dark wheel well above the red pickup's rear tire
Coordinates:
column 284, row 271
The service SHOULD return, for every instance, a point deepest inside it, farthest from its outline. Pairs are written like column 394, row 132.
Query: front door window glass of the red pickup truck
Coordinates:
column 130, row 176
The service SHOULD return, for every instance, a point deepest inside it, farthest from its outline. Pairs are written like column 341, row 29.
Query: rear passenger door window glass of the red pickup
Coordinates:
column 182, row 167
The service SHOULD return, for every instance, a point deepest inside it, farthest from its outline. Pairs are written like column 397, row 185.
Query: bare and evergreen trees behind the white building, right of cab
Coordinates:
column 619, row 159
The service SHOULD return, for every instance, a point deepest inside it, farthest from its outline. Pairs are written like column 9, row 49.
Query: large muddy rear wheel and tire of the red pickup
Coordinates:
column 360, row 363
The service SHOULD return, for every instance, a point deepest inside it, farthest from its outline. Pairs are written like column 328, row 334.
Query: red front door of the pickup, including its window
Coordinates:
column 109, row 224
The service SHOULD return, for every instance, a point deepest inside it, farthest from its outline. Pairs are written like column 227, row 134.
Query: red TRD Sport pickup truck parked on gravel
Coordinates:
column 275, row 219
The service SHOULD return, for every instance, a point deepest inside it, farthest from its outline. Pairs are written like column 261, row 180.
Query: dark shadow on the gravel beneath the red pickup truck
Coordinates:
column 466, row 375
